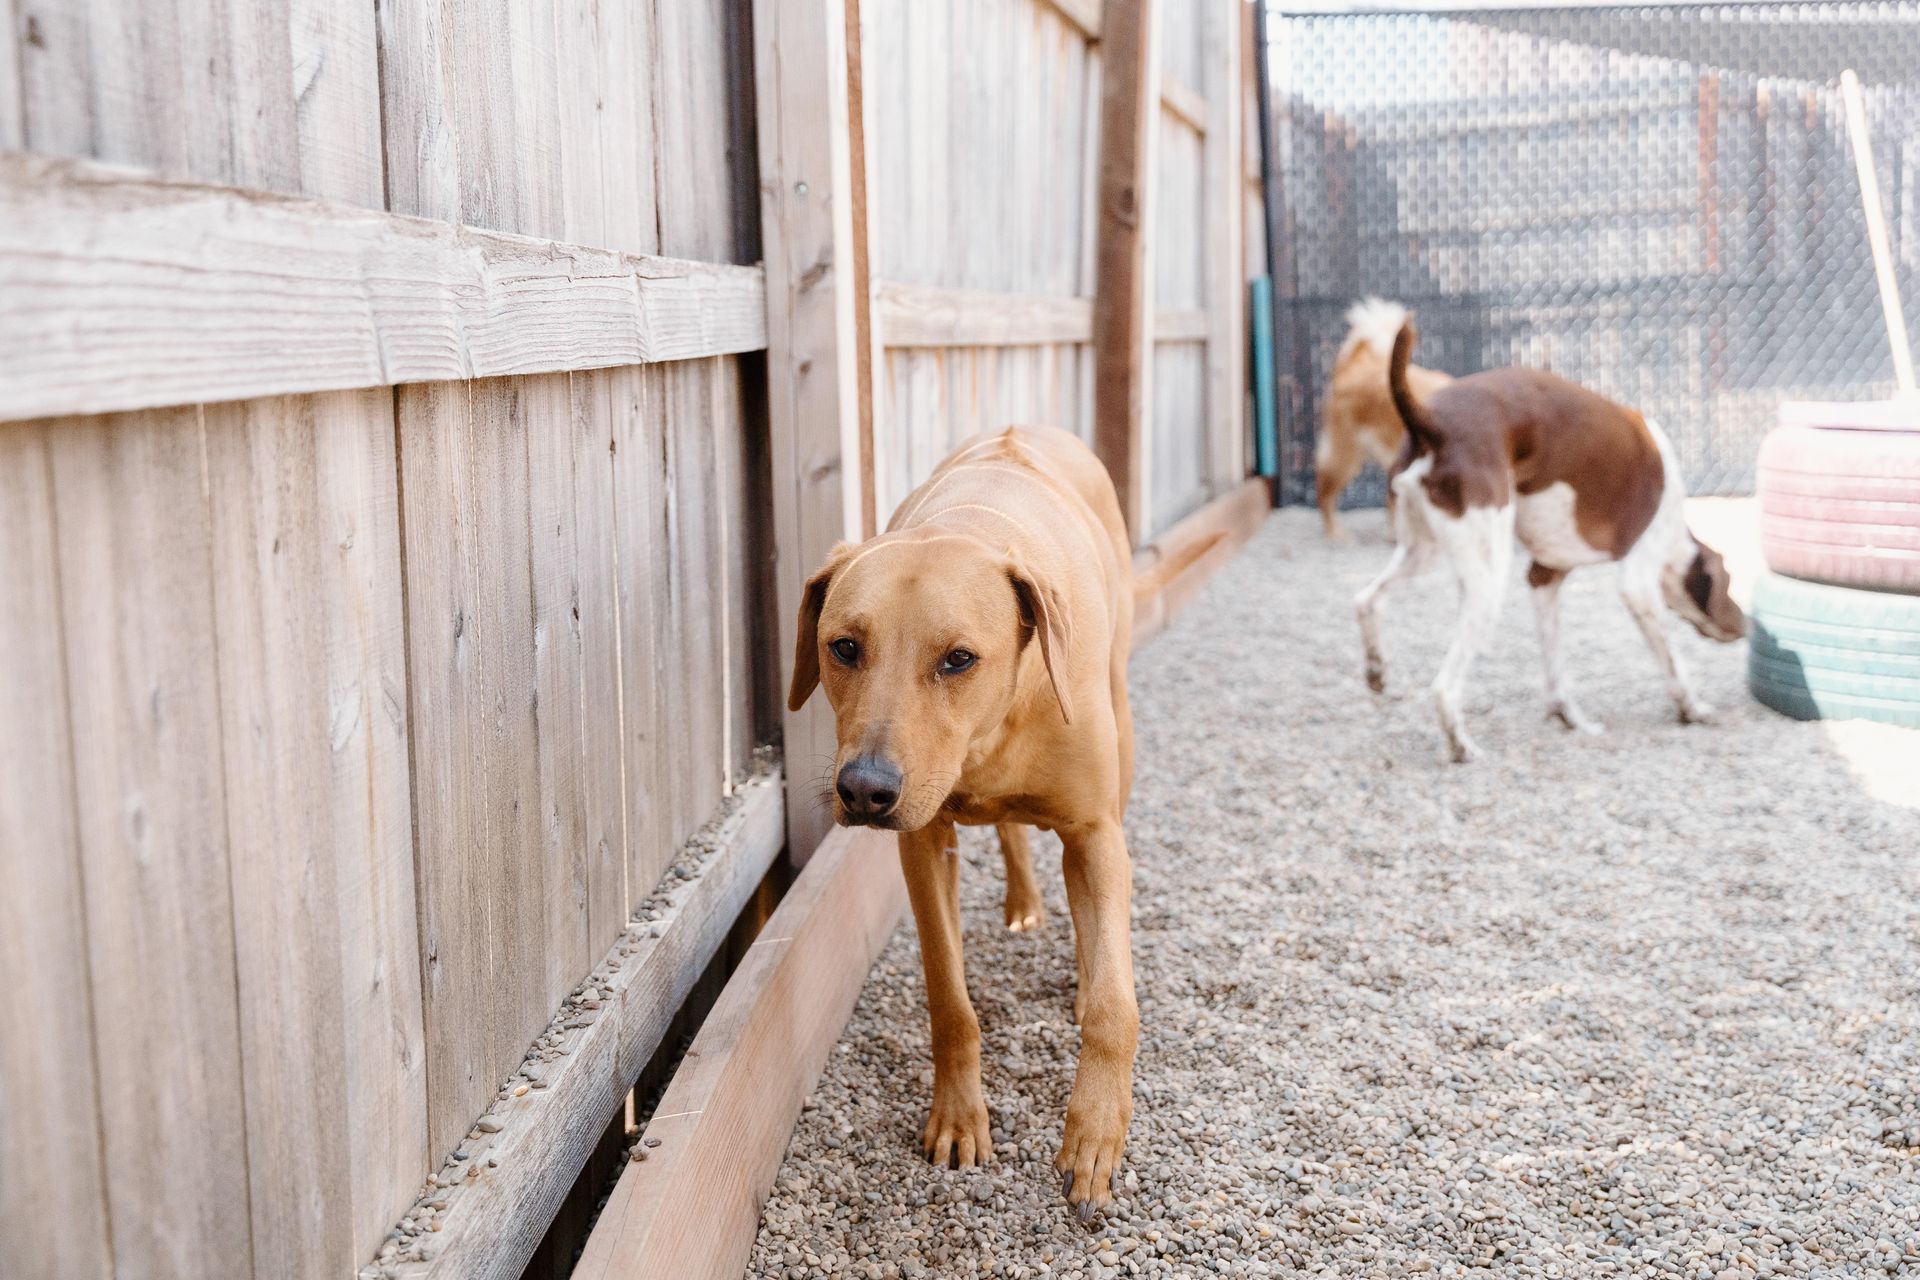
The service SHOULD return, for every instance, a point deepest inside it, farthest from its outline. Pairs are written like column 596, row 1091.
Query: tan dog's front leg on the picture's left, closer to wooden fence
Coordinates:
column 957, row 1129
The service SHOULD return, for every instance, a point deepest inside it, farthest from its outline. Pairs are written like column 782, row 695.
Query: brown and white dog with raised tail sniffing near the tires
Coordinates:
column 1577, row 481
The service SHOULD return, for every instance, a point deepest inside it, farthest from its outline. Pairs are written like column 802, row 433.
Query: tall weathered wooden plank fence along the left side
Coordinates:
column 416, row 425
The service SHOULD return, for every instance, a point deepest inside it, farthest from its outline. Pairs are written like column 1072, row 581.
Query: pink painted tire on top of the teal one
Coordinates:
column 1842, row 506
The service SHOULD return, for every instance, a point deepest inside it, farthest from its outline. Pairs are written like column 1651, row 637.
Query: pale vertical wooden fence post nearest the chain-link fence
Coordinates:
column 1222, row 174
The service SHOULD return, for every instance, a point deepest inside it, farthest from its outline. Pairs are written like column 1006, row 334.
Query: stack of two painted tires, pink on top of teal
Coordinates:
column 1836, row 625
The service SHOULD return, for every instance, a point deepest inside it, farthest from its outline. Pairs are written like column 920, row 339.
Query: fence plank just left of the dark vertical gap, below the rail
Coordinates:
column 314, row 699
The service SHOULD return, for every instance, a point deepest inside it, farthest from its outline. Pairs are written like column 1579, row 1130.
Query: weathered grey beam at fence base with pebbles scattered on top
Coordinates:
column 502, row 1197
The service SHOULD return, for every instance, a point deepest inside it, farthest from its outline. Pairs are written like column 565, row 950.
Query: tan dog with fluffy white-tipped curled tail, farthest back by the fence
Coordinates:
column 1358, row 419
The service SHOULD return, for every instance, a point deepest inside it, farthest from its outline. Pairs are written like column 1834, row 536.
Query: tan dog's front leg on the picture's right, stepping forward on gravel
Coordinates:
column 1101, row 891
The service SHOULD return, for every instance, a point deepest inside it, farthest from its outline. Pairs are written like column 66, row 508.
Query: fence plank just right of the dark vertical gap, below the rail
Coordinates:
column 475, row 742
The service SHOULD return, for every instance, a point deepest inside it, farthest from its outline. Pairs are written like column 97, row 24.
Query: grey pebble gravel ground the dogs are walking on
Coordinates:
column 1644, row 1005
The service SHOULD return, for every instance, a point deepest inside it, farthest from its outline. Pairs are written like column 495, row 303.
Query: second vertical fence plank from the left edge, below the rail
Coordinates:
column 137, row 613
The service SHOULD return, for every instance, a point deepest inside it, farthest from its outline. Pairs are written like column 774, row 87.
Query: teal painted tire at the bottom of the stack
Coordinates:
column 1835, row 653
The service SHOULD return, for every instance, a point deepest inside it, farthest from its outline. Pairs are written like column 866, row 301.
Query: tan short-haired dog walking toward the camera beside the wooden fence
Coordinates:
column 976, row 659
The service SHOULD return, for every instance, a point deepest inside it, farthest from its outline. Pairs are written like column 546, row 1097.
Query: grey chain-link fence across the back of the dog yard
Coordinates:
column 1658, row 202
